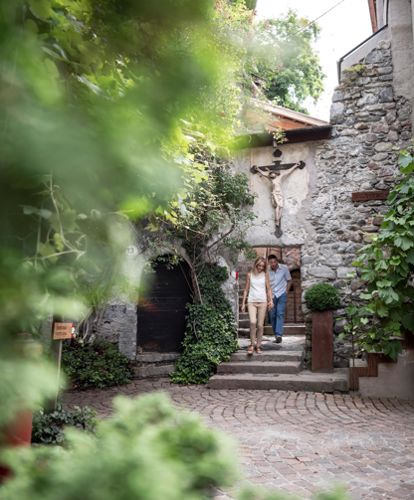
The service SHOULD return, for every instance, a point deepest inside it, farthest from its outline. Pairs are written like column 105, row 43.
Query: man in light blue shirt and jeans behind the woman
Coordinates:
column 280, row 283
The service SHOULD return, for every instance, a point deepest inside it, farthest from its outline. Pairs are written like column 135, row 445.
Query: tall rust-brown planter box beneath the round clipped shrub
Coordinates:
column 322, row 341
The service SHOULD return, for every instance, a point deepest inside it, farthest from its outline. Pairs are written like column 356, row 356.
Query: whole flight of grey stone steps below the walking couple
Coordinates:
column 279, row 367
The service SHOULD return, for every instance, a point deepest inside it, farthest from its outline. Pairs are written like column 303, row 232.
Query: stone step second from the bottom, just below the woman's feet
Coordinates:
column 259, row 366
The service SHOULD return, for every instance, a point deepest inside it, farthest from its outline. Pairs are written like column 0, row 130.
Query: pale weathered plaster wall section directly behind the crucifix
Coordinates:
column 296, row 190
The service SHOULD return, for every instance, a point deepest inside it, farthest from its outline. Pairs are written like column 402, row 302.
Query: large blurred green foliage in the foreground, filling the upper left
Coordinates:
column 96, row 99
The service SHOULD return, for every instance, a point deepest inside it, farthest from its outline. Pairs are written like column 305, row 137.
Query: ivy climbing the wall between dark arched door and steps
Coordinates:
column 210, row 219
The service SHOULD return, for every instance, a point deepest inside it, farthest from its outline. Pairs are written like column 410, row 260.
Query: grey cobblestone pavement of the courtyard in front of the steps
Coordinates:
column 300, row 442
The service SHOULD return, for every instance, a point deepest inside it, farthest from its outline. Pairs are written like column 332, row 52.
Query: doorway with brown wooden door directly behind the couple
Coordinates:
column 290, row 256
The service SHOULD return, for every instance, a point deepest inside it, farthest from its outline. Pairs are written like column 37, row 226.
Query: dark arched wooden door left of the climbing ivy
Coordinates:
column 162, row 310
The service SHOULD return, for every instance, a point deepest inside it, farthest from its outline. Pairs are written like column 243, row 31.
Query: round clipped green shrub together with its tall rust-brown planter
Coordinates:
column 322, row 299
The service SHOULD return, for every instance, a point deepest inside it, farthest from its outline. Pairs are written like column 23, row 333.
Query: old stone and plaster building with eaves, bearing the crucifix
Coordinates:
column 333, row 203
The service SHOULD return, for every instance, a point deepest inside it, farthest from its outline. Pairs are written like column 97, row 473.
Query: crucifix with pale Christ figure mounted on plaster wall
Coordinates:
column 276, row 173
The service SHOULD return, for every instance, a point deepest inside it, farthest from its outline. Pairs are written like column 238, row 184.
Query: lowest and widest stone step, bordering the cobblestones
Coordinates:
column 303, row 381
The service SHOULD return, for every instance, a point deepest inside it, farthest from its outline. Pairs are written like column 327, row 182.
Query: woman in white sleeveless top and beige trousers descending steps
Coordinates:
column 259, row 297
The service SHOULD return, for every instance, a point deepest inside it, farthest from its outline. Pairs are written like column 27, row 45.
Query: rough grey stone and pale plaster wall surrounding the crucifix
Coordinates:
column 370, row 124
